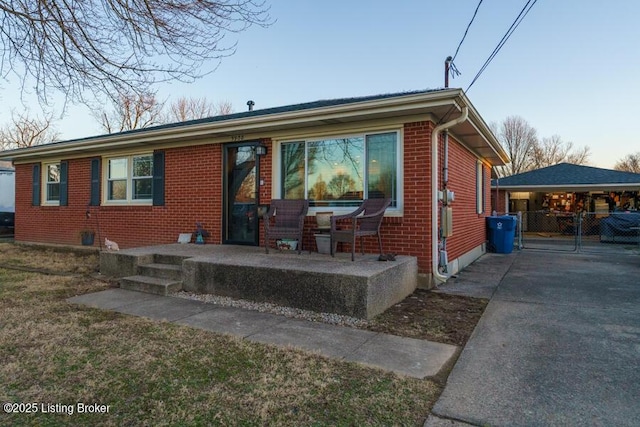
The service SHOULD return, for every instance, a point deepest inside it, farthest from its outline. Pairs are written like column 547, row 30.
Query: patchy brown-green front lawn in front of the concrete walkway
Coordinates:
column 153, row 373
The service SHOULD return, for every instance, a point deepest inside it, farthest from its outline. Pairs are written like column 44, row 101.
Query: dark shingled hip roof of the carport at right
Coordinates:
column 569, row 177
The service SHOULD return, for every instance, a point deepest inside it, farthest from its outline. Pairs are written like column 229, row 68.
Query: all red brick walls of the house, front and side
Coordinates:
column 193, row 192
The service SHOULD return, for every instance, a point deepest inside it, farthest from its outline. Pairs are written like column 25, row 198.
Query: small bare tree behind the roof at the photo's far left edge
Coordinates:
column 24, row 131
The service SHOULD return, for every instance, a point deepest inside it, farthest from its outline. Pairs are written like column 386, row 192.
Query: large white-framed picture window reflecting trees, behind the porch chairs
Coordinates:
column 341, row 171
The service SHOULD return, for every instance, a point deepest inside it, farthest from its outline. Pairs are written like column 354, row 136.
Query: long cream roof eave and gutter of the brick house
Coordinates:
column 409, row 104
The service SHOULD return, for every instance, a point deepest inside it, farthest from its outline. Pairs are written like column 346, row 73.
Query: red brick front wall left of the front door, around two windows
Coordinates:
column 193, row 191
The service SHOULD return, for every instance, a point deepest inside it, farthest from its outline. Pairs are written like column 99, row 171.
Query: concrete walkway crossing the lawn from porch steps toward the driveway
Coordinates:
column 404, row 356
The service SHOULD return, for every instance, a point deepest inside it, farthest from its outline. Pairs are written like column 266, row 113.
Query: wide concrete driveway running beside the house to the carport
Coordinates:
column 559, row 344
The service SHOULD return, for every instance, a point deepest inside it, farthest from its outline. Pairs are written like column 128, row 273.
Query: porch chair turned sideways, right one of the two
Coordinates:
column 364, row 221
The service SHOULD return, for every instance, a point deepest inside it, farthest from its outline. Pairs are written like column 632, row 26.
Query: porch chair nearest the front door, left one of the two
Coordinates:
column 285, row 220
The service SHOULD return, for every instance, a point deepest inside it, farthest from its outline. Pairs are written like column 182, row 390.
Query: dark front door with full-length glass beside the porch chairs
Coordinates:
column 240, row 219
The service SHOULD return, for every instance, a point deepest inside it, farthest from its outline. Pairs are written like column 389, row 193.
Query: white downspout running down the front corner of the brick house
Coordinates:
column 435, row 134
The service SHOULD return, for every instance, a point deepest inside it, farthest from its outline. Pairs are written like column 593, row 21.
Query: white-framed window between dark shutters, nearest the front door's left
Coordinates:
column 129, row 178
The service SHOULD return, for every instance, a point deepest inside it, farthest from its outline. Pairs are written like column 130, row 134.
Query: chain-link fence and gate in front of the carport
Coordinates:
column 616, row 232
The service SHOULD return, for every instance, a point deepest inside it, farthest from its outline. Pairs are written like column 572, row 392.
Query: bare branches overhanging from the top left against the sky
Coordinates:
column 109, row 47
